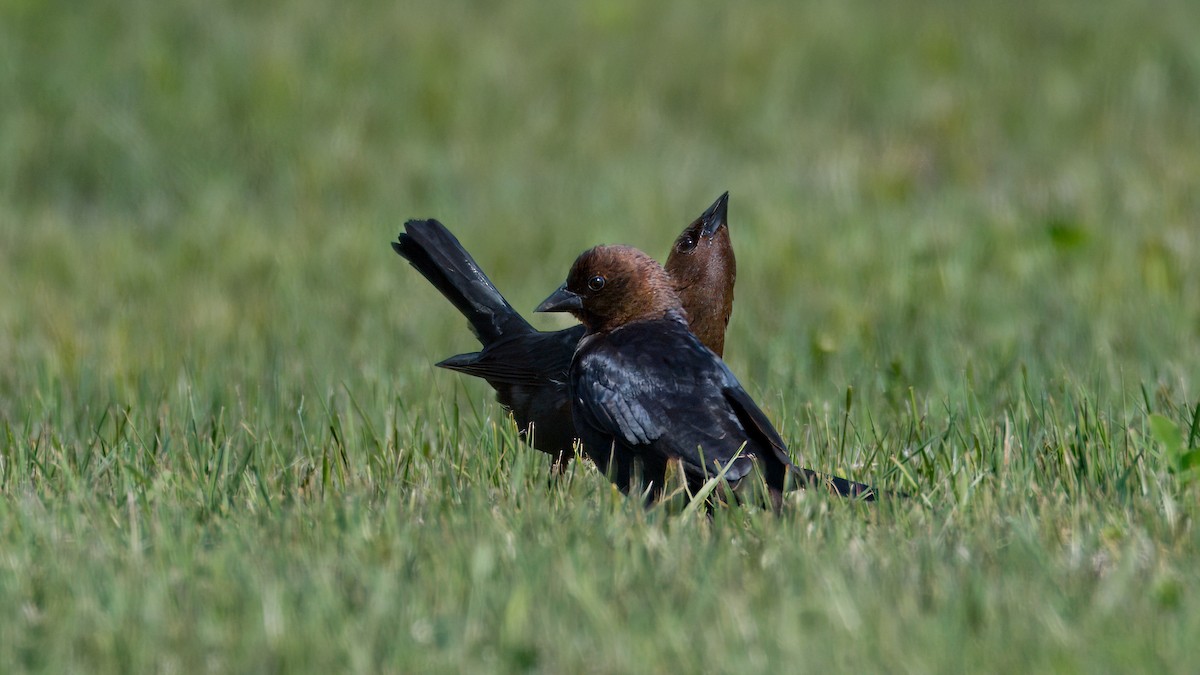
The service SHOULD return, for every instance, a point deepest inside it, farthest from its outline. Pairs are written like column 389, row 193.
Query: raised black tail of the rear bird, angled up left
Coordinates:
column 430, row 248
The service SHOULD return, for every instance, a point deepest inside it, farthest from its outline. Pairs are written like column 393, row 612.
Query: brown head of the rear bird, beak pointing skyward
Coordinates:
column 703, row 268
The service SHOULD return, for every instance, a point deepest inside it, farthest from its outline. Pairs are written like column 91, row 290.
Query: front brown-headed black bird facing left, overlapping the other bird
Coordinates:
column 647, row 393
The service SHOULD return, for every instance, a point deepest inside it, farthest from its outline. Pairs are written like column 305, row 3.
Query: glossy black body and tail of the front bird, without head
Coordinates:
column 649, row 393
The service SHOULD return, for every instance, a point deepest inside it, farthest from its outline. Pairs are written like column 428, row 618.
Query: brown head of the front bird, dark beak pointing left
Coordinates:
column 611, row 286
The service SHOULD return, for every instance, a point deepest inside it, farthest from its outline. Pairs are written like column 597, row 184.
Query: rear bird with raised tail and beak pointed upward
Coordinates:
column 529, row 368
